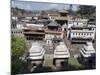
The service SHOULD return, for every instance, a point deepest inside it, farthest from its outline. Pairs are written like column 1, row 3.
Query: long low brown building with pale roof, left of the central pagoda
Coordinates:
column 34, row 31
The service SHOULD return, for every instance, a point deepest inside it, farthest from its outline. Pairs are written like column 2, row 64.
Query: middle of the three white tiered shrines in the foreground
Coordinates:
column 61, row 54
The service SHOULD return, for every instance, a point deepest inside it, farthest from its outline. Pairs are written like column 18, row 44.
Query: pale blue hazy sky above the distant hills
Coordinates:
column 30, row 5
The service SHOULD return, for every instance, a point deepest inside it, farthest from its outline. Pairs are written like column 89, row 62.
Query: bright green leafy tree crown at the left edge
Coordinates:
column 18, row 47
